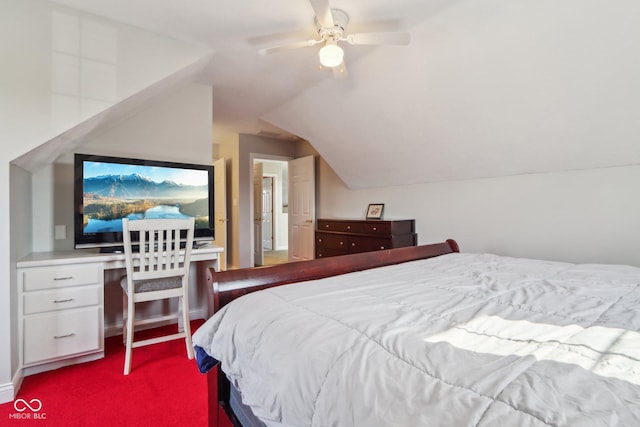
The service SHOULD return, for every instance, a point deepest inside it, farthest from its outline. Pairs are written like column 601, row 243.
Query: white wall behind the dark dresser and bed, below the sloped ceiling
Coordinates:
column 586, row 216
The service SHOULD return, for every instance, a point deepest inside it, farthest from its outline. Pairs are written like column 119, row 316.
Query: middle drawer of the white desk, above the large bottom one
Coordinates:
column 60, row 299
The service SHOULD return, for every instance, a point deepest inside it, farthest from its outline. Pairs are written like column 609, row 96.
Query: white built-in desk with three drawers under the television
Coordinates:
column 61, row 304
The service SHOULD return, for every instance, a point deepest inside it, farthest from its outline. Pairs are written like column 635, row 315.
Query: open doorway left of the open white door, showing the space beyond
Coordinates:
column 271, row 218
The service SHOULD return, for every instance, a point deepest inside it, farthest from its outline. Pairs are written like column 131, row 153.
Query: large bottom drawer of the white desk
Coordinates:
column 62, row 334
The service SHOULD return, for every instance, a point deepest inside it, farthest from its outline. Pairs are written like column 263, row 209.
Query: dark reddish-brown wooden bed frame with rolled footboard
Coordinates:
column 231, row 284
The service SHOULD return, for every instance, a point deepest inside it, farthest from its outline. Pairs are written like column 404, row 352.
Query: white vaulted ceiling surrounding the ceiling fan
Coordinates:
column 485, row 88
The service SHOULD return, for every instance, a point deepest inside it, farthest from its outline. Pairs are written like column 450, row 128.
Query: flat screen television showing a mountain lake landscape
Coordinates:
column 107, row 189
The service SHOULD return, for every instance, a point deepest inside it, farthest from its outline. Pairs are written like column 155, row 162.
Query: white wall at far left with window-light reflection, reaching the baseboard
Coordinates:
column 42, row 96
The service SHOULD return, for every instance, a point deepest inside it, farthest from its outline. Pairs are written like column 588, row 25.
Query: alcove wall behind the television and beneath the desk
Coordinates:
column 176, row 127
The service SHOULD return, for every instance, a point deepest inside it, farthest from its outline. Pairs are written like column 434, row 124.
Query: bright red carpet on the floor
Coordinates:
column 164, row 389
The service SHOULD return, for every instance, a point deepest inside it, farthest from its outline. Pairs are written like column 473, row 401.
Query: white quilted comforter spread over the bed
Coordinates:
column 457, row 340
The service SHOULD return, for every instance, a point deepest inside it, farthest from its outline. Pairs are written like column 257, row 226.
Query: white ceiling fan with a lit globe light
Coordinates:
column 331, row 25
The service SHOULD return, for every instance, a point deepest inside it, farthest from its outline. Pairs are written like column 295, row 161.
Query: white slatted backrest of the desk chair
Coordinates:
column 156, row 246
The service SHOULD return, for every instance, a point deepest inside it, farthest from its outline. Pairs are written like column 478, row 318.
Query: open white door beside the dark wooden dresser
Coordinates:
column 302, row 208
